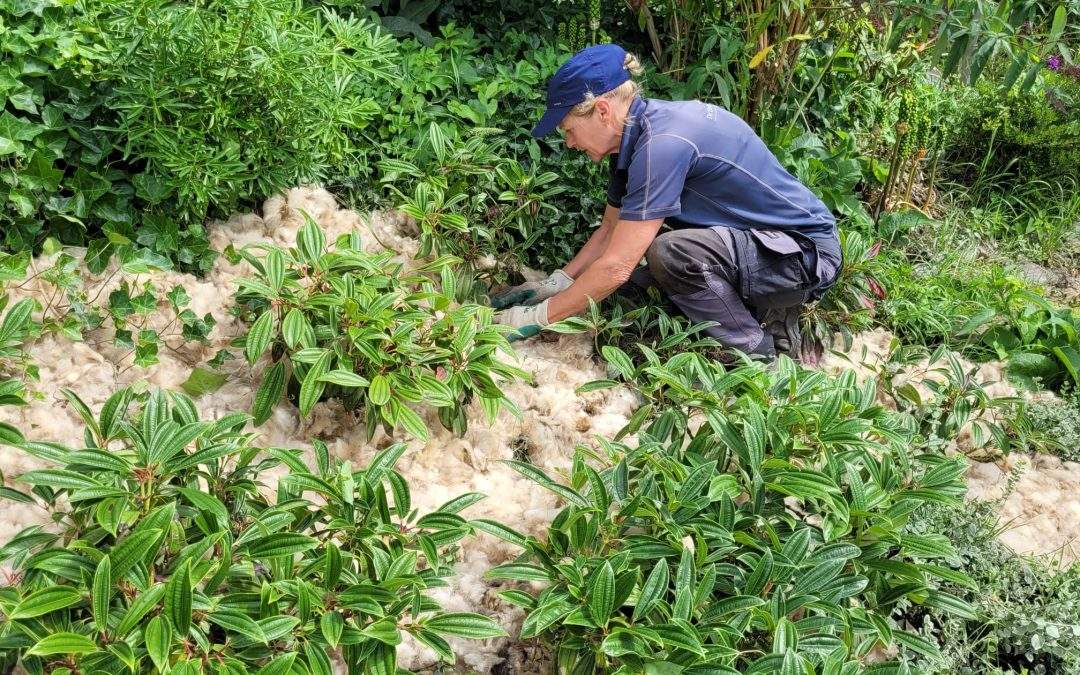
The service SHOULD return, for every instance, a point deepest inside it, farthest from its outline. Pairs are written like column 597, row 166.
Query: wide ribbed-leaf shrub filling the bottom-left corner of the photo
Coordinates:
column 169, row 556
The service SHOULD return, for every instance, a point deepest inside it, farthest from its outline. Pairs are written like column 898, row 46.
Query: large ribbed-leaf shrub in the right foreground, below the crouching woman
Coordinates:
column 769, row 539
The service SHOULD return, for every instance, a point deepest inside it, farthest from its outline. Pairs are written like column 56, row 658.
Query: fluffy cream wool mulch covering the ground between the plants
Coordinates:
column 1045, row 509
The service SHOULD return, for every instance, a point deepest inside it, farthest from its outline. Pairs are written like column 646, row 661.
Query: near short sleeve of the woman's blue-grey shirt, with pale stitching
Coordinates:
column 656, row 178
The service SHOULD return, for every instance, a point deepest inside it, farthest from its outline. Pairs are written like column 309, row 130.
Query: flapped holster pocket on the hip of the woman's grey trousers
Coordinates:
column 772, row 271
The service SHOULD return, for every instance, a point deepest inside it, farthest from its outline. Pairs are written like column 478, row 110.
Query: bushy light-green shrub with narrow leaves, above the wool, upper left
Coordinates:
column 226, row 103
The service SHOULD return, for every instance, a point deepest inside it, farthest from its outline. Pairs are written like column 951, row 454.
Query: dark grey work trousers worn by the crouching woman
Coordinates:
column 726, row 275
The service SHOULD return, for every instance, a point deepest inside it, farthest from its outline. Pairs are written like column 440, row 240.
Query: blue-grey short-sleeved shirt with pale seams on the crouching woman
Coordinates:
column 695, row 164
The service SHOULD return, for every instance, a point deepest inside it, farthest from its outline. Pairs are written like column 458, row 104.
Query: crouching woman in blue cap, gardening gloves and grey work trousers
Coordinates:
column 746, row 245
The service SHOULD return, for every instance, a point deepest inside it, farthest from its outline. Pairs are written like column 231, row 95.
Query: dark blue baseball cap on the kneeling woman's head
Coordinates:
column 597, row 70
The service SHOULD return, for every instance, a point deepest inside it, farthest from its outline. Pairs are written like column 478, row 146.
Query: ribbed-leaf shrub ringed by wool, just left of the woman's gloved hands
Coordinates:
column 344, row 323
